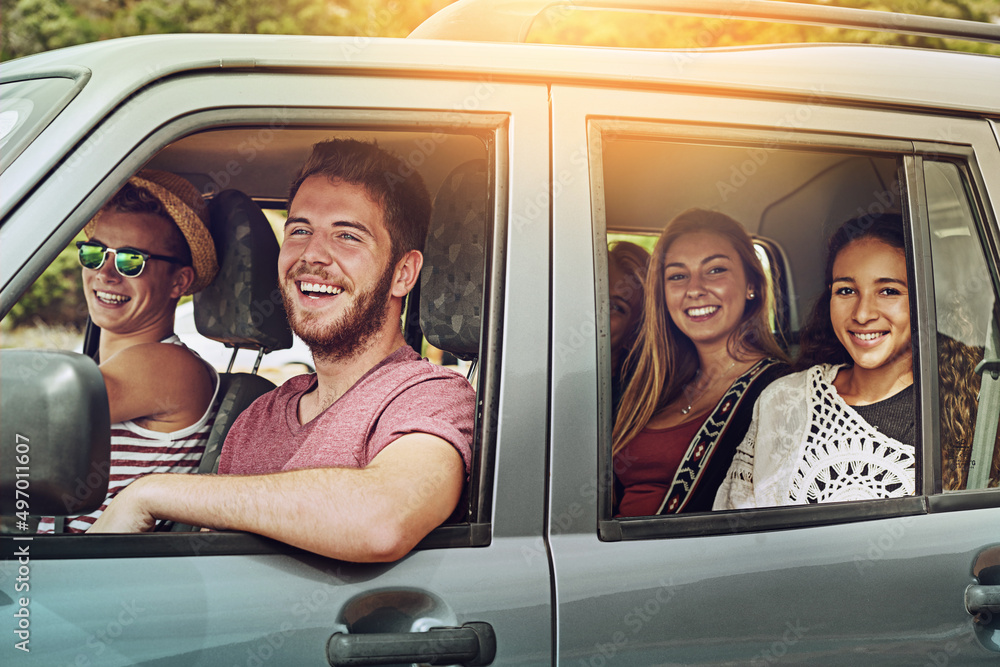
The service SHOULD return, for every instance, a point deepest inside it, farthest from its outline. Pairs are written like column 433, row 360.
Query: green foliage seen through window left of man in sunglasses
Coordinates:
column 55, row 298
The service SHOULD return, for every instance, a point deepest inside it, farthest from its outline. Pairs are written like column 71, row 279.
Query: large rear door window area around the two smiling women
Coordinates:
column 790, row 199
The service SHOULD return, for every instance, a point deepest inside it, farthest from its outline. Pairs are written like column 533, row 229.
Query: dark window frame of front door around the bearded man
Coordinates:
column 493, row 129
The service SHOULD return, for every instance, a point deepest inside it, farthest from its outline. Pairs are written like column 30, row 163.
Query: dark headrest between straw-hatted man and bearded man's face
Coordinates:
column 242, row 306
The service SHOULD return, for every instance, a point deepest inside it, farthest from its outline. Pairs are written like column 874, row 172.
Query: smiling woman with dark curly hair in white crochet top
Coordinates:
column 843, row 428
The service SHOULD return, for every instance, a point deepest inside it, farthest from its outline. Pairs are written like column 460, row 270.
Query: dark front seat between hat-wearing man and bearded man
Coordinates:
column 241, row 308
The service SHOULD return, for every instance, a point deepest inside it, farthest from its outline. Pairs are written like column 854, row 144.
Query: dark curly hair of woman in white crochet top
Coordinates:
column 818, row 342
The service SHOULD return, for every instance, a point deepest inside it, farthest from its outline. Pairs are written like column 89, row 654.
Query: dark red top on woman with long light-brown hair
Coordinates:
column 646, row 466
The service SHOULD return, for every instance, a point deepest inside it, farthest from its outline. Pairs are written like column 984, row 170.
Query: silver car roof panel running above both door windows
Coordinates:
column 871, row 74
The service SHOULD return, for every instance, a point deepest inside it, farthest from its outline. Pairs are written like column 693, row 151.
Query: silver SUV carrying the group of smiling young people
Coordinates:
column 538, row 155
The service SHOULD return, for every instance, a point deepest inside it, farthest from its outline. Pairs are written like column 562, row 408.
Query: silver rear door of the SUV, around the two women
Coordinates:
column 865, row 582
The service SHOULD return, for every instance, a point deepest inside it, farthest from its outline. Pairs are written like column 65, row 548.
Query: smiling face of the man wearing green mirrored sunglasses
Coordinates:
column 123, row 305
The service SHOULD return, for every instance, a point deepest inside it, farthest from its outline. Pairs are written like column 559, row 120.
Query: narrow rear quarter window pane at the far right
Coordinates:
column 966, row 304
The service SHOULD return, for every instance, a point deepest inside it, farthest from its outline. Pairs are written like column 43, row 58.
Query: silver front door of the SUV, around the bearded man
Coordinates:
column 226, row 598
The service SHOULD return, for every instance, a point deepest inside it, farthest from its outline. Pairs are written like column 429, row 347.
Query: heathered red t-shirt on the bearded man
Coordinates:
column 402, row 394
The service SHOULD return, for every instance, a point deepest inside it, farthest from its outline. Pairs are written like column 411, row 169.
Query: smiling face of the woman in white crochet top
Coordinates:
column 870, row 306
